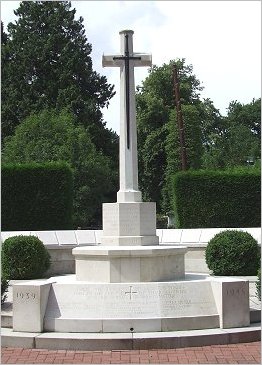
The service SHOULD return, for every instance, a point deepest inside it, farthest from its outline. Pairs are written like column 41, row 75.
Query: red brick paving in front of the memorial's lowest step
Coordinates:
column 244, row 353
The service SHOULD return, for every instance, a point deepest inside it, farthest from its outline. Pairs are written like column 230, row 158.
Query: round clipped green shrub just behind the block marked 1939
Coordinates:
column 24, row 257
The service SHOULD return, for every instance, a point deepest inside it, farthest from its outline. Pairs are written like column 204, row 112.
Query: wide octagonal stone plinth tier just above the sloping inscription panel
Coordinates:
column 129, row 264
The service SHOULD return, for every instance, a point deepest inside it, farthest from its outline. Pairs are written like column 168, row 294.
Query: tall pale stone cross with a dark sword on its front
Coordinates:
column 127, row 60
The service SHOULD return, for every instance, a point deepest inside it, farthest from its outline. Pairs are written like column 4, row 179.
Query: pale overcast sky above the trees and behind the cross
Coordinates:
column 221, row 39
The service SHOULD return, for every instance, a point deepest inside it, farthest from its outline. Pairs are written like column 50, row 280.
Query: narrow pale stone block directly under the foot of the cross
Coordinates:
column 129, row 224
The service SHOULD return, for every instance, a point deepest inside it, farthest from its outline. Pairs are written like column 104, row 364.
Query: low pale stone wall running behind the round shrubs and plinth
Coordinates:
column 61, row 243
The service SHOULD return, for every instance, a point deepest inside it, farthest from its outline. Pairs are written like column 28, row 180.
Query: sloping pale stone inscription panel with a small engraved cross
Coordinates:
column 136, row 300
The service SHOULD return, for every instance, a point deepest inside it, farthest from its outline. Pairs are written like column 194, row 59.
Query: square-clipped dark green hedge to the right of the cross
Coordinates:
column 217, row 198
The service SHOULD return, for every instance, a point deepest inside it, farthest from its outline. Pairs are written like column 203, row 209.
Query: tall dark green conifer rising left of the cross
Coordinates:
column 47, row 64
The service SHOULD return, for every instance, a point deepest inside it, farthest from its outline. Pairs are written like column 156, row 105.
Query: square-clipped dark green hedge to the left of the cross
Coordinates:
column 36, row 196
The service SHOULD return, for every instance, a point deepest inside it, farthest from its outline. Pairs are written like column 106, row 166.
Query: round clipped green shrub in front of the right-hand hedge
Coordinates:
column 233, row 253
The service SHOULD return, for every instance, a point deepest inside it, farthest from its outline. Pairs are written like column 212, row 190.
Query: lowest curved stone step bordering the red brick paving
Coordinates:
column 129, row 341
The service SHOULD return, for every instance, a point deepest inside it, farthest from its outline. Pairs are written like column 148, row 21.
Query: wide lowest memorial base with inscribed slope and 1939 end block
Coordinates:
column 63, row 304
